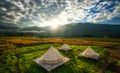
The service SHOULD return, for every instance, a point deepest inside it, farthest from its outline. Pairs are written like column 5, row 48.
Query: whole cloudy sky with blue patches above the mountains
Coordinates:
column 24, row 13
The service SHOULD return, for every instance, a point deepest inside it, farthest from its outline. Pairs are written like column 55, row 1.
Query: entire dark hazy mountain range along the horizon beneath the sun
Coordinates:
column 73, row 30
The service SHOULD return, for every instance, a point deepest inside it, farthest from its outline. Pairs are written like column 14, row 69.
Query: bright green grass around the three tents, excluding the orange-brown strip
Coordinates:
column 21, row 60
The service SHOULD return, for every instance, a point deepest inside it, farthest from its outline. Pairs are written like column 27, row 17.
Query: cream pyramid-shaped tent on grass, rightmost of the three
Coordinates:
column 90, row 53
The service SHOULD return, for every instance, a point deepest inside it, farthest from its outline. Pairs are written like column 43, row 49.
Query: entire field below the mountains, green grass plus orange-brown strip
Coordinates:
column 17, row 54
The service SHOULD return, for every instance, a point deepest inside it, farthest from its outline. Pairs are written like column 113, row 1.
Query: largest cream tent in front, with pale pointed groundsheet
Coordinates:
column 51, row 59
